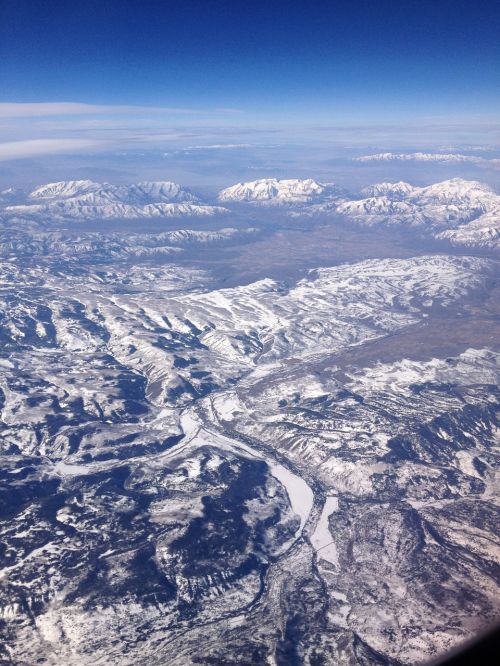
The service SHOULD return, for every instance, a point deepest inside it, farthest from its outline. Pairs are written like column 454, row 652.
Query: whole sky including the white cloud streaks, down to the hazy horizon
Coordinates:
column 91, row 75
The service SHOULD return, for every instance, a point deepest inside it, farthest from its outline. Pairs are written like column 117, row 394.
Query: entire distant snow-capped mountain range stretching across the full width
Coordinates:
column 461, row 211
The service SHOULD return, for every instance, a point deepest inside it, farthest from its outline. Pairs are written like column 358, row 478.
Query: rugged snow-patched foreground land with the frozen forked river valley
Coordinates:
column 184, row 462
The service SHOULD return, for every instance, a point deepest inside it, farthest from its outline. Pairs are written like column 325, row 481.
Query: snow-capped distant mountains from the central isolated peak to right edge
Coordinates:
column 444, row 210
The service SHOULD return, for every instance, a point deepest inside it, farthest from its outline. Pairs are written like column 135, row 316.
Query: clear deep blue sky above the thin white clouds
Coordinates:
column 302, row 59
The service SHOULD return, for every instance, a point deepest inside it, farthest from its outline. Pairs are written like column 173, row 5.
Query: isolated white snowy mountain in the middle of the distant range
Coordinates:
column 272, row 190
